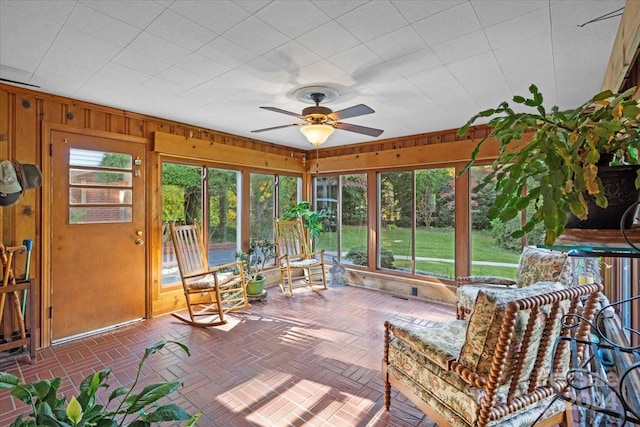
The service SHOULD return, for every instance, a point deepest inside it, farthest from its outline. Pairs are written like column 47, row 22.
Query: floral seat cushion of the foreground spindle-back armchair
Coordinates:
column 440, row 343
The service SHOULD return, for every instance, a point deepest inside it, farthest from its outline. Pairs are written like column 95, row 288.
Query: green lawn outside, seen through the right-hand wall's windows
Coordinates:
column 432, row 243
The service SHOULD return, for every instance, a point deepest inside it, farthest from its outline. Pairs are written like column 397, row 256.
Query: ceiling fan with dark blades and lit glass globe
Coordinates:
column 320, row 122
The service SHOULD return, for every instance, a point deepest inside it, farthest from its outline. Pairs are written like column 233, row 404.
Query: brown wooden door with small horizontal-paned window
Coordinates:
column 98, row 233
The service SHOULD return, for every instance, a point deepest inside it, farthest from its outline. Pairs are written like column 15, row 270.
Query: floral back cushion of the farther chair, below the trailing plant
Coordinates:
column 541, row 265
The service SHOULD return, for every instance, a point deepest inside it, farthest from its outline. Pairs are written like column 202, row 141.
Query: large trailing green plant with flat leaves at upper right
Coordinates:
column 558, row 170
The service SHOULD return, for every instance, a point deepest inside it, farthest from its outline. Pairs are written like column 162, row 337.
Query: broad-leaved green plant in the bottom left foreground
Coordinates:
column 84, row 410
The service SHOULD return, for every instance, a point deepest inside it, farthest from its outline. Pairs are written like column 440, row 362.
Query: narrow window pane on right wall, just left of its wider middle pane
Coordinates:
column 395, row 194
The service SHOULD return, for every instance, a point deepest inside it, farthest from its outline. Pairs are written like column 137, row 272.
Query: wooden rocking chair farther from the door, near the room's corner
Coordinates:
column 299, row 265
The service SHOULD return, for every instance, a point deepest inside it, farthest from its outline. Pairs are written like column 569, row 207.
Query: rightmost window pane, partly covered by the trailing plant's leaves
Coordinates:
column 493, row 251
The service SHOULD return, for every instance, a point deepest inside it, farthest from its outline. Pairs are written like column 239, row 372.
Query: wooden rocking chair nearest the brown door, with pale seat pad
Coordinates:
column 210, row 292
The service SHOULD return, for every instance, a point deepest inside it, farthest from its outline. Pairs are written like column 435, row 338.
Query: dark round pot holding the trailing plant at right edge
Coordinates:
column 620, row 190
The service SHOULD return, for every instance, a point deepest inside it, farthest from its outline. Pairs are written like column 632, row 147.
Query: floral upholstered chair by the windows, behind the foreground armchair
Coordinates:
column 535, row 265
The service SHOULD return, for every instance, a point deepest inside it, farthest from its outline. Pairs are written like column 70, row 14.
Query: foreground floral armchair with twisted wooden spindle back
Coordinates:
column 494, row 368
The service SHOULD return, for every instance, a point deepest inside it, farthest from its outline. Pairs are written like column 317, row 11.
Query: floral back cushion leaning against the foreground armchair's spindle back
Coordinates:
column 485, row 321
